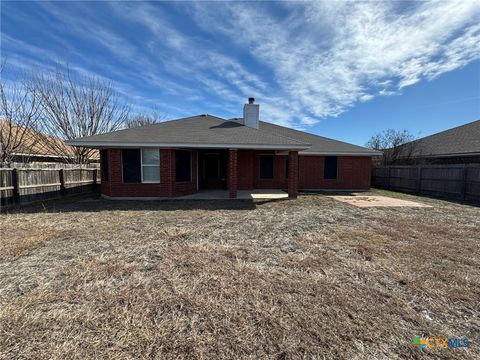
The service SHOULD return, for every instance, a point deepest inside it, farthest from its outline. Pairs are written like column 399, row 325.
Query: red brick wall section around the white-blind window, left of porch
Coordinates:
column 166, row 188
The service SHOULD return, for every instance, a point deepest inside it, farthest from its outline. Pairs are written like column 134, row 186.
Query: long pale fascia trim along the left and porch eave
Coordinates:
column 195, row 146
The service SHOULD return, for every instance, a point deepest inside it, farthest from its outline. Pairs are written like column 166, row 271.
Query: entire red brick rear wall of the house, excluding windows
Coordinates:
column 353, row 173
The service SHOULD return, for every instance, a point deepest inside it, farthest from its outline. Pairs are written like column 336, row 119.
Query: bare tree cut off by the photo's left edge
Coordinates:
column 19, row 115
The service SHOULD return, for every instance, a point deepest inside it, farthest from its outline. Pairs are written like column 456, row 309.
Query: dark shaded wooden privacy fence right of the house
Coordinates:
column 461, row 182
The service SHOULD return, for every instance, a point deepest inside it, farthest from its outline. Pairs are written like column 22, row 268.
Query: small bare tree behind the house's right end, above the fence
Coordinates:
column 395, row 145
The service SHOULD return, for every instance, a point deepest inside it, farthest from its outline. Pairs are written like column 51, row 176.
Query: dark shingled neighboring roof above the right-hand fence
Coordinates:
column 459, row 141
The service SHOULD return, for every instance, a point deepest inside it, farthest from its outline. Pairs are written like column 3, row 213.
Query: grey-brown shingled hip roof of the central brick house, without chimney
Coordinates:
column 208, row 131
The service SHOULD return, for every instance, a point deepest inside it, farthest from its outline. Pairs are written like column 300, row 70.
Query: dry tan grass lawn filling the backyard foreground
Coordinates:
column 312, row 278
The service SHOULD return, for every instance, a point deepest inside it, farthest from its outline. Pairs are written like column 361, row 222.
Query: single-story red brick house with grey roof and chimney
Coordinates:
column 181, row 157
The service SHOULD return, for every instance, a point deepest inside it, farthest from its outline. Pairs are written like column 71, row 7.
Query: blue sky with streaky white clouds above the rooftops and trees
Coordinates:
column 339, row 69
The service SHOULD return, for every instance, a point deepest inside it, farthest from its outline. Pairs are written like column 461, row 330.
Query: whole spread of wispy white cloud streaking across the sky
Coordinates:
column 306, row 60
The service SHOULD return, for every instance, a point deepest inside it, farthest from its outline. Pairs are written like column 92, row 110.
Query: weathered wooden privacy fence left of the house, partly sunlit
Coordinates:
column 21, row 186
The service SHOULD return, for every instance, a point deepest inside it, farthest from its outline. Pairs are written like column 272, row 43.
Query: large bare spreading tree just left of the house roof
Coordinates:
column 75, row 107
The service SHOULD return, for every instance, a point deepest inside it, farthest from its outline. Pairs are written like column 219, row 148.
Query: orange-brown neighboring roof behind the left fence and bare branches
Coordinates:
column 36, row 144
